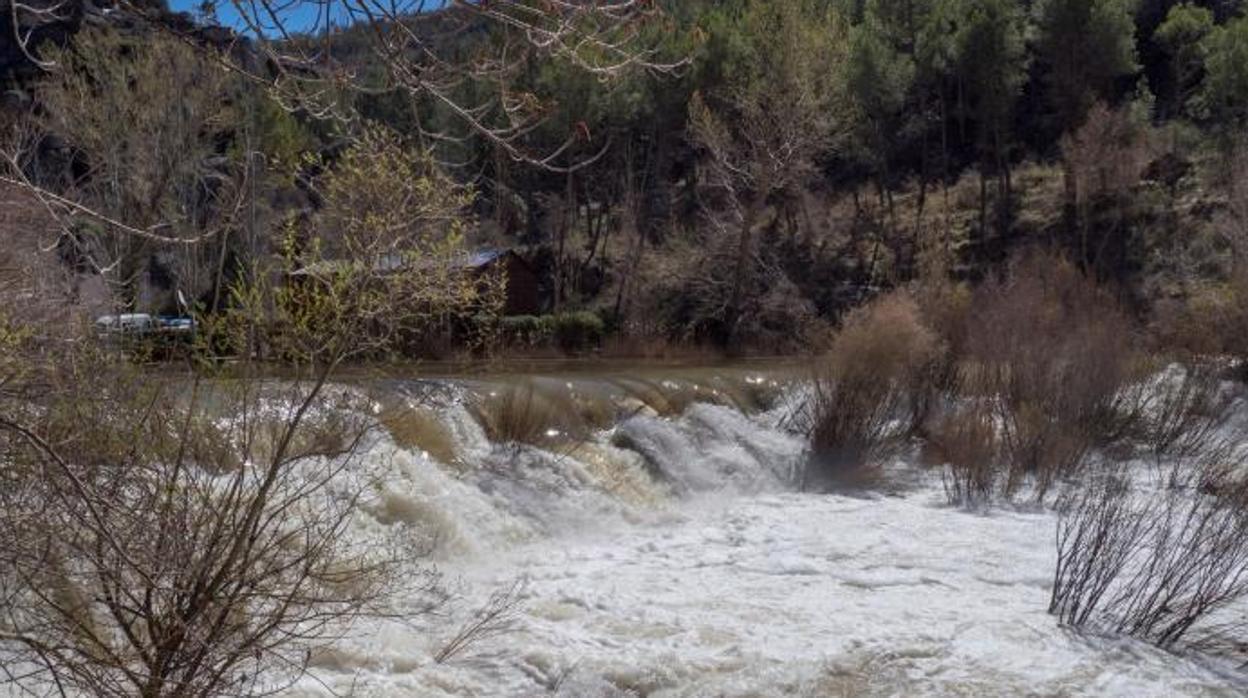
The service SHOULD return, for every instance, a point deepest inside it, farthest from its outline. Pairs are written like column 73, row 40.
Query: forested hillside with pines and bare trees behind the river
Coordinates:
column 732, row 174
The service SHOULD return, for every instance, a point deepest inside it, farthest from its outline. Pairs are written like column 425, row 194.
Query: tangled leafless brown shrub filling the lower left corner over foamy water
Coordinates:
column 185, row 539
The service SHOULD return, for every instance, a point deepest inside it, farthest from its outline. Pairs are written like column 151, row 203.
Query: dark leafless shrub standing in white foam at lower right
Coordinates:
column 1151, row 565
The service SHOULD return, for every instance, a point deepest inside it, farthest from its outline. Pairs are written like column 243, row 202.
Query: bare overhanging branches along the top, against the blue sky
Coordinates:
column 300, row 46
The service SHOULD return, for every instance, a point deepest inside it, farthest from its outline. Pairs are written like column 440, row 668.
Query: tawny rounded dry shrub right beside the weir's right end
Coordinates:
column 862, row 403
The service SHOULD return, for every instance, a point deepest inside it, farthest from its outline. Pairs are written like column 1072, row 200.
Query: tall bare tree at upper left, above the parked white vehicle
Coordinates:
column 135, row 120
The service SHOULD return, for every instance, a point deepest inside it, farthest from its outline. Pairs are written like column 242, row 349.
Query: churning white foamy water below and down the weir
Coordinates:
column 668, row 558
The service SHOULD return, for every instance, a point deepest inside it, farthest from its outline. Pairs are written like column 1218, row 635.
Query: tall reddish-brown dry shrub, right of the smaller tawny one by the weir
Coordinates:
column 1051, row 351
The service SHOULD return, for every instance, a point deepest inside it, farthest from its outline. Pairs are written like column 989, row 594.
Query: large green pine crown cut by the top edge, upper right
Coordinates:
column 1086, row 46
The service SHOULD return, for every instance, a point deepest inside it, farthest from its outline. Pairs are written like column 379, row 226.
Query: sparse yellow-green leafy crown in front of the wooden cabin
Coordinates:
column 375, row 272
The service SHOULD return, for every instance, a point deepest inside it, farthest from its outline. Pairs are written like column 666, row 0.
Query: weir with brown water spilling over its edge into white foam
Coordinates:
column 516, row 456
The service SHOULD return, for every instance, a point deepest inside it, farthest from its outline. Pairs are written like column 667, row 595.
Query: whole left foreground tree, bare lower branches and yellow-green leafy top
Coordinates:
column 190, row 534
